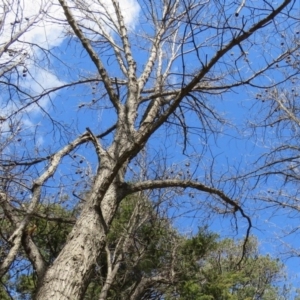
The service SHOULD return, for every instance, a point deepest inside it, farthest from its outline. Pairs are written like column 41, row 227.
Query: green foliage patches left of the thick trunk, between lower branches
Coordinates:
column 49, row 234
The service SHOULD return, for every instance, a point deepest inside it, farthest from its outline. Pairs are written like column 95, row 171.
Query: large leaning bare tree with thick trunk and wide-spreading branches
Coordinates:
column 145, row 81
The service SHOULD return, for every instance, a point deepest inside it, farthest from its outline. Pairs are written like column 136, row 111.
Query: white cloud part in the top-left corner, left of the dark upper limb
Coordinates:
column 24, row 24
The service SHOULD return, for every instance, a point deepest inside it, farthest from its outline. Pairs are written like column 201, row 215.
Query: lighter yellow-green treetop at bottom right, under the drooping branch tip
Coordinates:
column 219, row 276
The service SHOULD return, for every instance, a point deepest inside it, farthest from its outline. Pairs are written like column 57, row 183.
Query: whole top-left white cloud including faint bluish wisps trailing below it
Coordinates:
column 45, row 27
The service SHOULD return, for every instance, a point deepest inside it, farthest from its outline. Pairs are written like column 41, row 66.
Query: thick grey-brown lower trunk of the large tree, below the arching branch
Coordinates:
column 69, row 275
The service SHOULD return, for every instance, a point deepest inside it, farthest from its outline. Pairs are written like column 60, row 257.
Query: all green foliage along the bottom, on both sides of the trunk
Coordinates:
column 204, row 266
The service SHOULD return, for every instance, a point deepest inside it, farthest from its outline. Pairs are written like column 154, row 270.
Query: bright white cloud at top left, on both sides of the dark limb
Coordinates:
column 45, row 26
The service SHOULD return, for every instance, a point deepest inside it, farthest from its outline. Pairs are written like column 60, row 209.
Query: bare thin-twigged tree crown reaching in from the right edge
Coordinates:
column 276, row 172
